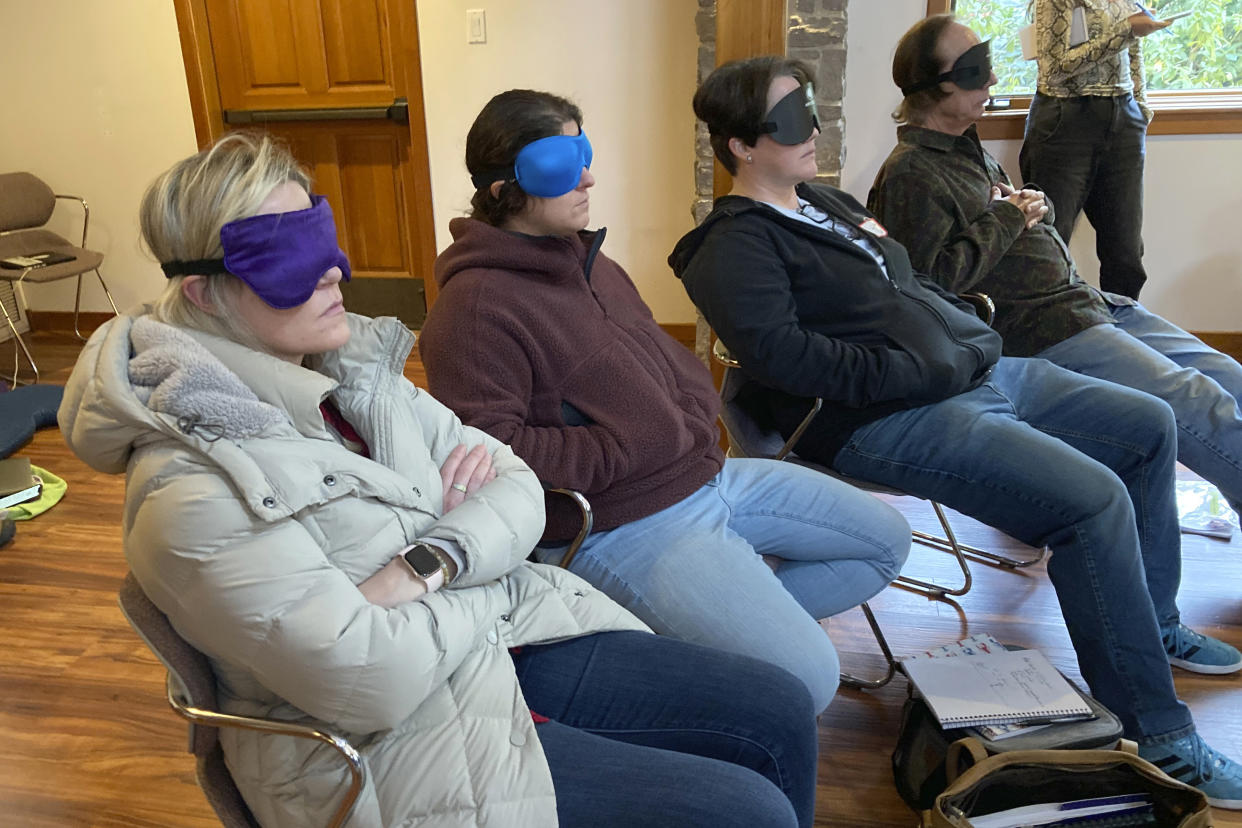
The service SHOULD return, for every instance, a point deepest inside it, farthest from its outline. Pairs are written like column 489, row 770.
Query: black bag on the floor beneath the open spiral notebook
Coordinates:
column 922, row 747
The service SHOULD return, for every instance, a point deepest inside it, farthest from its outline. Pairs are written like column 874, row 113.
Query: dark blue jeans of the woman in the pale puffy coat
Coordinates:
column 654, row 732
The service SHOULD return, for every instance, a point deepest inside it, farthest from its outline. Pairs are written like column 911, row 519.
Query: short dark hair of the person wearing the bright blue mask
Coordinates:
column 510, row 122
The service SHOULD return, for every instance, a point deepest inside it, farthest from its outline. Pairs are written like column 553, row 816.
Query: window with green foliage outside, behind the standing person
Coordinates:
column 1194, row 69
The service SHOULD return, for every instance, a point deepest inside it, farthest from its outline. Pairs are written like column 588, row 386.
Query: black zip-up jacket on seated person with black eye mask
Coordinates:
column 809, row 313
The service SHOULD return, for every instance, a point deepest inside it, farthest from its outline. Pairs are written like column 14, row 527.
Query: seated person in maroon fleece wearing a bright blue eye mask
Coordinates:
column 542, row 341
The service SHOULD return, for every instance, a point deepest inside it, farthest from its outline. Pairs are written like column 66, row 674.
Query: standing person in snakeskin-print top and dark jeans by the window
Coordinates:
column 1086, row 133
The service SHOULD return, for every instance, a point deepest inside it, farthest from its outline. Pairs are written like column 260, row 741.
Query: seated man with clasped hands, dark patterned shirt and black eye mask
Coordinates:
column 950, row 203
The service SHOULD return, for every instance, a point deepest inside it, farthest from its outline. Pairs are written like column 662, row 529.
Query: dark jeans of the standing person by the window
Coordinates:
column 1087, row 156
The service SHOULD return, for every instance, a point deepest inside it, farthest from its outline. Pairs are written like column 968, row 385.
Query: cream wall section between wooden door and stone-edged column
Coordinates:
column 629, row 65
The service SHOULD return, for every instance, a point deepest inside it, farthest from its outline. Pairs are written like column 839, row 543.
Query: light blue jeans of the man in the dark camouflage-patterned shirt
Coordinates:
column 1203, row 385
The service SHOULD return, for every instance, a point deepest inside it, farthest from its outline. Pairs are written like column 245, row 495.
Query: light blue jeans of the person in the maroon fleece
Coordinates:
column 695, row 573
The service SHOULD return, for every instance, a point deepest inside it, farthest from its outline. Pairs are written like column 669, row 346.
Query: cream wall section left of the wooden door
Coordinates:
column 96, row 105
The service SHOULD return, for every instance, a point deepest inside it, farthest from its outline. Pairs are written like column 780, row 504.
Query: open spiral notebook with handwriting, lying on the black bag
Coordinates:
column 1005, row 687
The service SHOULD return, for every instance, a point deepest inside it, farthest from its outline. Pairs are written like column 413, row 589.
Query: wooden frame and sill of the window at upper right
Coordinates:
column 1183, row 112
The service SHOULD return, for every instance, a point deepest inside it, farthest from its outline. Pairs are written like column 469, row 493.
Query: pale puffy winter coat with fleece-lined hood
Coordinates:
column 250, row 526
